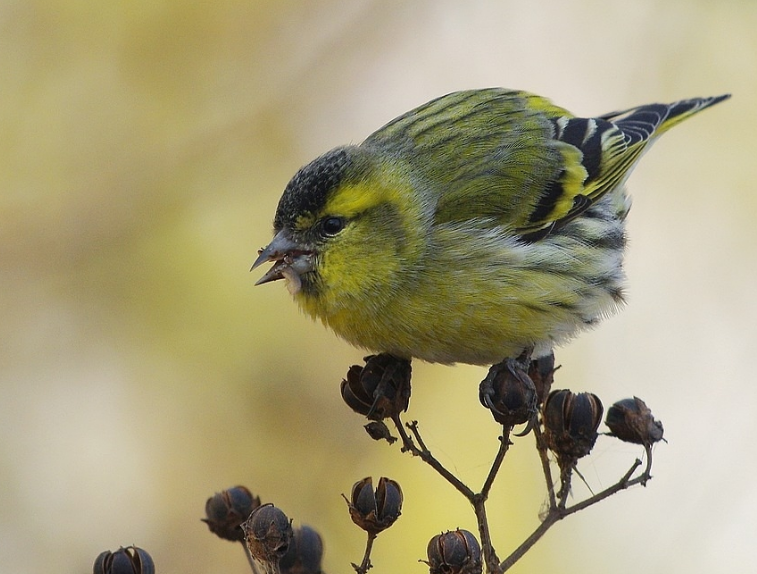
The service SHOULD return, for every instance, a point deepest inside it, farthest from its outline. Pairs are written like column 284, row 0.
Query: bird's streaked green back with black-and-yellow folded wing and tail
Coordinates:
column 516, row 158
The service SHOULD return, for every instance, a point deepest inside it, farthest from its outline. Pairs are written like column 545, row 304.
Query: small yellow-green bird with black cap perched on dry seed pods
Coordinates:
column 474, row 227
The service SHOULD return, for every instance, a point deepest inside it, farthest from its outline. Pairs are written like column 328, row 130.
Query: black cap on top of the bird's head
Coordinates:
column 308, row 190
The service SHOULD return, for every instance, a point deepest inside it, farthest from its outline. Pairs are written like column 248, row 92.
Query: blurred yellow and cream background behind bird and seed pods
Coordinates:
column 143, row 148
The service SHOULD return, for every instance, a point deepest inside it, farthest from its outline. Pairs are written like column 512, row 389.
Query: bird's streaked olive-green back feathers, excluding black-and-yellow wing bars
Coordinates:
column 475, row 153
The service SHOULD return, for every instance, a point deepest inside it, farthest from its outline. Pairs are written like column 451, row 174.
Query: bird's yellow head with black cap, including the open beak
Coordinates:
column 346, row 228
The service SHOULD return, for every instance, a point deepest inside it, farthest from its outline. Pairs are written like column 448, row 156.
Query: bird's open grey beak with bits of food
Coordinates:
column 291, row 261
